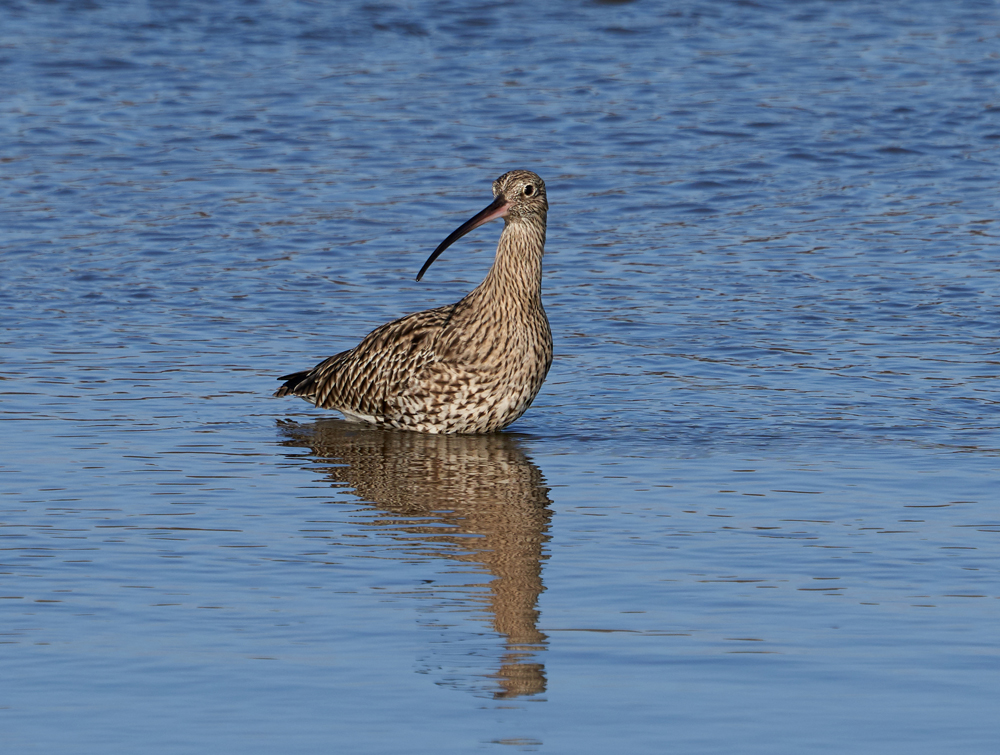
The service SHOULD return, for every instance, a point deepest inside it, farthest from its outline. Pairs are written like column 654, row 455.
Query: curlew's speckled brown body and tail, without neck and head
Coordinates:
column 449, row 369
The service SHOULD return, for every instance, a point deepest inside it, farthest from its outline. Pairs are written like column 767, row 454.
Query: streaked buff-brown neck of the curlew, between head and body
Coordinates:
column 516, row 275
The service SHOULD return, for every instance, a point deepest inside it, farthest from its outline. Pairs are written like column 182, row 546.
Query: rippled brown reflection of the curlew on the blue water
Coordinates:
column 478, row 498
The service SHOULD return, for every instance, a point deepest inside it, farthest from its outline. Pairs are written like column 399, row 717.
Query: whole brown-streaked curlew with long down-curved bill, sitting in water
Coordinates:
column 470, row 367
